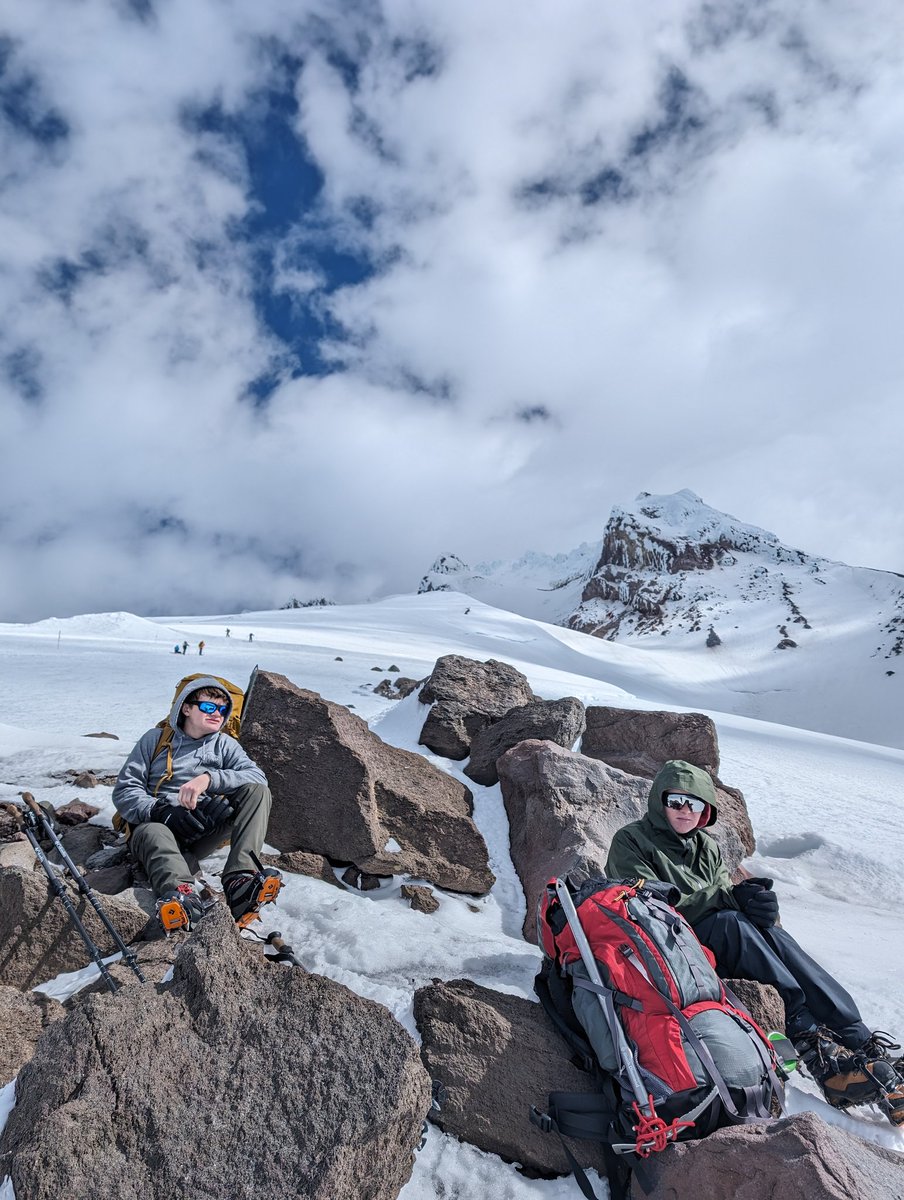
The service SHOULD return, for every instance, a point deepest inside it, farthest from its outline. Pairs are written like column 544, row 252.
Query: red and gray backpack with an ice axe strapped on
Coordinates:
column 637, row 997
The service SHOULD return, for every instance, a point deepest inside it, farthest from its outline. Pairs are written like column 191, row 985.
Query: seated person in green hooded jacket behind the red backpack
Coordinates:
column 852, row 1065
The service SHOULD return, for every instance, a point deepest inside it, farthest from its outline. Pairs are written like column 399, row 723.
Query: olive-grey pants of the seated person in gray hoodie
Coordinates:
column 157, row 849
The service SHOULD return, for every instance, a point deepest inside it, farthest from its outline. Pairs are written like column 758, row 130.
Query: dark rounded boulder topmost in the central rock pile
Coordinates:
column 465, row 697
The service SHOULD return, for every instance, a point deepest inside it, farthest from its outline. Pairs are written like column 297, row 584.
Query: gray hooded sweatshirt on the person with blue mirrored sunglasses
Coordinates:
column 218, row 754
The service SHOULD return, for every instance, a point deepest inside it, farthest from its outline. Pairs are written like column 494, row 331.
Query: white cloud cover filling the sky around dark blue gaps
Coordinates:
column 726, row 320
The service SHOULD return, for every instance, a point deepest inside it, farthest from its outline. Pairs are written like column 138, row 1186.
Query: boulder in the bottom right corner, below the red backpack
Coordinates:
column 798, row 1159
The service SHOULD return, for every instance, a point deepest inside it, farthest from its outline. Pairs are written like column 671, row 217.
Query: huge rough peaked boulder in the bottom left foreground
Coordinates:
column 243, row 1079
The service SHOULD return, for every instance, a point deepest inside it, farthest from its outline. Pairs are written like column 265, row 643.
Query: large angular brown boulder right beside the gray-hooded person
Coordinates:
column 343, row 793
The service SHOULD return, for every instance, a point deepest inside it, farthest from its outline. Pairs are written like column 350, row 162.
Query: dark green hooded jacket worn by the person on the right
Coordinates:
column 651, row 849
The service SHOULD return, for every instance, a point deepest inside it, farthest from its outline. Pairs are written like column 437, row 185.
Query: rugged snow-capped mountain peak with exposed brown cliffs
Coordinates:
column 775, row 632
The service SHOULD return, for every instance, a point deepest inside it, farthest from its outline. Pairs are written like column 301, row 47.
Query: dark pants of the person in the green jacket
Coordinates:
column 744, row 951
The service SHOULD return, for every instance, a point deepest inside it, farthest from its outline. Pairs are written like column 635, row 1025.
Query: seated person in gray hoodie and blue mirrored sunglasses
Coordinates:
column 202, row 791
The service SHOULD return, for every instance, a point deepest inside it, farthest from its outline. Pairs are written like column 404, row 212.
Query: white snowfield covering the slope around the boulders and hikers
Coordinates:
column 827, row 812
